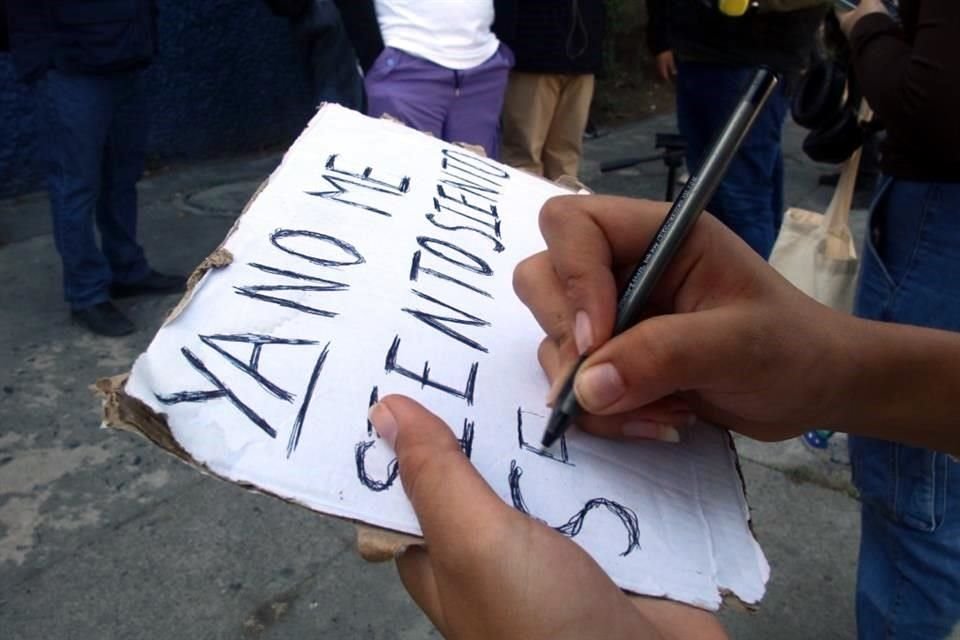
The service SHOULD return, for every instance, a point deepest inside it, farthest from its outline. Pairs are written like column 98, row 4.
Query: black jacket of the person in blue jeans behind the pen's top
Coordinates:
column 696, row 32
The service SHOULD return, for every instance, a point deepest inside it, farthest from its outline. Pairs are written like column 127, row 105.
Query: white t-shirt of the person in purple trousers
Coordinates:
column 451, row 33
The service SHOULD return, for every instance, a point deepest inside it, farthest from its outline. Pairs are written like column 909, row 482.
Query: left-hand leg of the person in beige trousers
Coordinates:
column 528, row 109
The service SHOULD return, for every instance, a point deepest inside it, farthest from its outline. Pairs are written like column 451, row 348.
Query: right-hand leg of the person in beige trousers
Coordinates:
column 564, row 146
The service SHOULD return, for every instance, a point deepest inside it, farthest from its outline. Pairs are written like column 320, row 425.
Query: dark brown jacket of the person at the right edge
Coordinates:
column 910, row 75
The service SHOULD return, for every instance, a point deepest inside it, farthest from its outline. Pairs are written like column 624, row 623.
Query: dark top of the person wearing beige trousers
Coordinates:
column 559, row 36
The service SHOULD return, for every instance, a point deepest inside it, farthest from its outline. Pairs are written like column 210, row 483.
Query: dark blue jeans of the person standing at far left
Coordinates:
column 96, row 137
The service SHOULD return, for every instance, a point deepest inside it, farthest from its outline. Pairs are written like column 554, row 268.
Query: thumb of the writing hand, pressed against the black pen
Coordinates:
column 667, row 354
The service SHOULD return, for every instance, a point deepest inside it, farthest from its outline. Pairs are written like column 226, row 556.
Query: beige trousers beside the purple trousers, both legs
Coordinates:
column 544, row 116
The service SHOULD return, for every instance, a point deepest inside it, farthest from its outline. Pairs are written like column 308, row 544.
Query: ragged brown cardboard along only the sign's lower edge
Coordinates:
column 124, row 412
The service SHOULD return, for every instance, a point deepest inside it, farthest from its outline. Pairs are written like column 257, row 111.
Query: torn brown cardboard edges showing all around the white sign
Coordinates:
column 374, row 544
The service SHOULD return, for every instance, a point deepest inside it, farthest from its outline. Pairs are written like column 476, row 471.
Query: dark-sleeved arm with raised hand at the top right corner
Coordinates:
column 911, row 86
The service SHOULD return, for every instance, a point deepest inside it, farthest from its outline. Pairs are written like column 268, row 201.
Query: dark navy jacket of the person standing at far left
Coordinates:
column 81, row 36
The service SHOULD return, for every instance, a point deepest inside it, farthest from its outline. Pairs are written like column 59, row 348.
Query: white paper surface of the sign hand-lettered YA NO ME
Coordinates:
column 386, row 257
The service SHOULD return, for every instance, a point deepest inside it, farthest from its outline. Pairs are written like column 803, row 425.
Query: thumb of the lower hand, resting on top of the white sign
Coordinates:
column 452, row 501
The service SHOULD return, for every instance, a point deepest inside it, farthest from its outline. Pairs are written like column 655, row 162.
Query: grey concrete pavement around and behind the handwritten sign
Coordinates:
column 103, row 536
